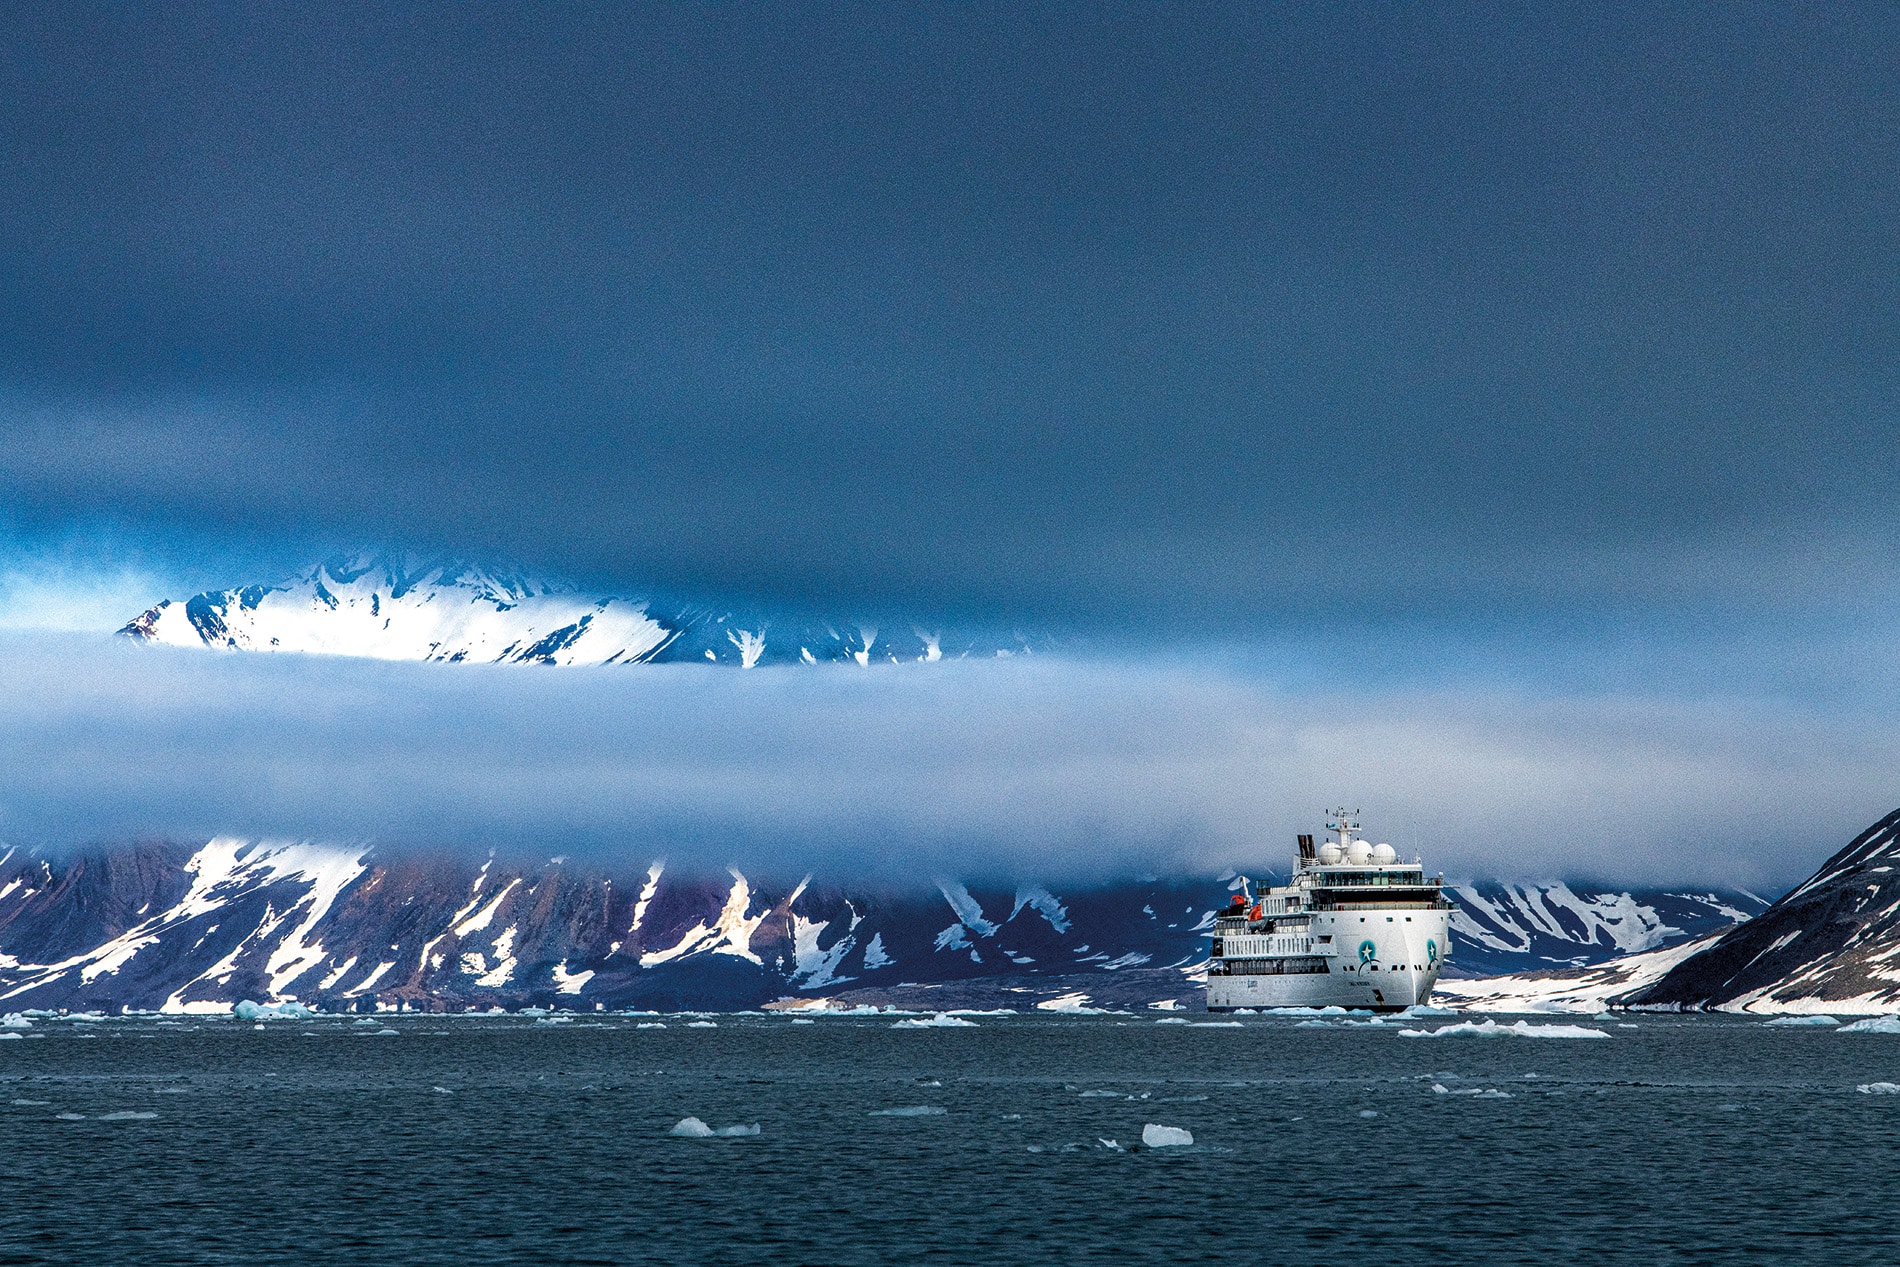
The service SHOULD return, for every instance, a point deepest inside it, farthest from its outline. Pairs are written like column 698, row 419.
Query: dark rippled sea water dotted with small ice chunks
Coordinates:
column 463, row 1141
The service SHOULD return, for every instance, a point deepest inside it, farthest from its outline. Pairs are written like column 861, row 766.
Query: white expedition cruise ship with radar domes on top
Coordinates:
column 1356, row 928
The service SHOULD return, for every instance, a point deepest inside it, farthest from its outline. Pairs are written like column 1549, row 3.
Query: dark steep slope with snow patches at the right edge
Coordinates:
column 1831, row 947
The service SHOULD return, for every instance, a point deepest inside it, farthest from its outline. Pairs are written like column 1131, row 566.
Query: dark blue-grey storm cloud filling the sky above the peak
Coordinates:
column 1061, row 312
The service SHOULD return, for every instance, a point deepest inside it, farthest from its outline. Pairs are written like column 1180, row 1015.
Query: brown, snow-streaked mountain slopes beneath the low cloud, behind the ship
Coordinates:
column 202, row 928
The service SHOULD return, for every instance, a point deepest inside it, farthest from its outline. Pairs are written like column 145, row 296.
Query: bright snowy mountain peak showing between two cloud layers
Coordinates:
column 402, row 609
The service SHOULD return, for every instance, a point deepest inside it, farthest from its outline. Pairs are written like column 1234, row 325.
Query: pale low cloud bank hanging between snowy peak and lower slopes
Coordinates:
column 1012, row 768
